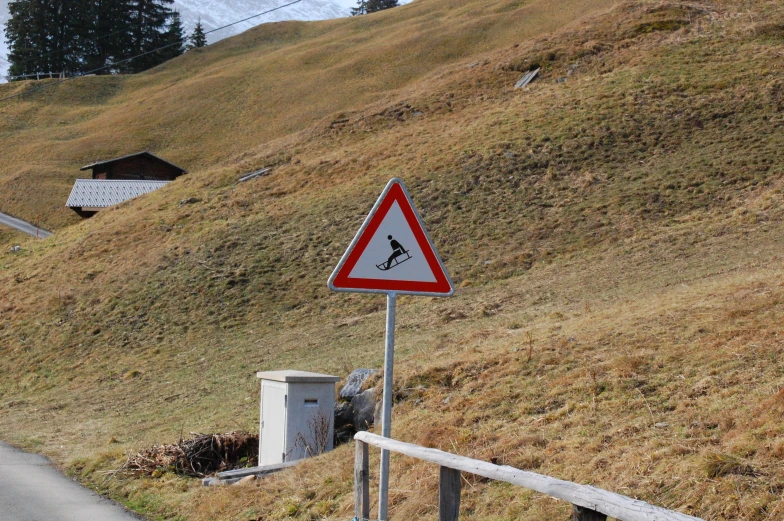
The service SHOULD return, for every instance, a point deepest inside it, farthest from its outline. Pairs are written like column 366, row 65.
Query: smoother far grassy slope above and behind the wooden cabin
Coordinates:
column 206, row 108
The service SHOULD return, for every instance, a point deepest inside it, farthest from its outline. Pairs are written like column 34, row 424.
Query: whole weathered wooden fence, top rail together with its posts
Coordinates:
column 589, row 503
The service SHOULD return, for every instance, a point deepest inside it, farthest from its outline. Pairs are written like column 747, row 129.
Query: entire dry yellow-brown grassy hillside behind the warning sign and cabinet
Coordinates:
column 615, row 232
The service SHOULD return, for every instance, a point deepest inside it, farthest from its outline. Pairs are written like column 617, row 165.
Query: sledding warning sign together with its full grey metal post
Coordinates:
column 391, row 254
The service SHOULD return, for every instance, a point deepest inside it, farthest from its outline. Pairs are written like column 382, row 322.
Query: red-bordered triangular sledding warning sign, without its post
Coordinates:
column 392, row 252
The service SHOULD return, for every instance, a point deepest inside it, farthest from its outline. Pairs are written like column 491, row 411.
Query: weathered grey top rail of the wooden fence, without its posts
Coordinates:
column 609, row 503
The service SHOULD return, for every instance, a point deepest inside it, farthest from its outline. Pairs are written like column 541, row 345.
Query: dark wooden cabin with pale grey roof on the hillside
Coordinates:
column 119, row 180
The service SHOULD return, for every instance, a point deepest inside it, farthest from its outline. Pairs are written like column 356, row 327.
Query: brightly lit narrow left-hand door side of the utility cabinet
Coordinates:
column 272, row 447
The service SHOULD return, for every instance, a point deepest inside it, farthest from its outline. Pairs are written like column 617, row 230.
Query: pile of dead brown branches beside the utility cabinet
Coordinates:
column 202, row 455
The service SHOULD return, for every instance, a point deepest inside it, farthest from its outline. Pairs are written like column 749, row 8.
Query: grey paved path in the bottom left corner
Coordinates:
column 32, row 490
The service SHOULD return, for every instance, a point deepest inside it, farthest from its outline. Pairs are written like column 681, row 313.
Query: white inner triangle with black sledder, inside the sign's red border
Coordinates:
column 393, row 253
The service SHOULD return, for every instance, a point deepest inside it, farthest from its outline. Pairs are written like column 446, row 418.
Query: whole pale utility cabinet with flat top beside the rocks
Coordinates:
column 297, row 415
